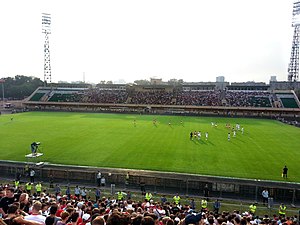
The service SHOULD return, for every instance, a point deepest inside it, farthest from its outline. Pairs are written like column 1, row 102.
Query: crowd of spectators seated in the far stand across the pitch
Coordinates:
column 175, row 97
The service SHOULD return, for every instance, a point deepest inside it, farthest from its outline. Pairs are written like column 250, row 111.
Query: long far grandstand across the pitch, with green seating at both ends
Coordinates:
column 168, row 95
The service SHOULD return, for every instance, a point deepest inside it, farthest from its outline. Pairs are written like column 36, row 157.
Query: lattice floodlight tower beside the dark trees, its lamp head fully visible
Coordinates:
column 46, row 29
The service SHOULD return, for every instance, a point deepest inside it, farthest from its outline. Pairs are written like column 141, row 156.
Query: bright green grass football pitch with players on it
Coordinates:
column 113, row 140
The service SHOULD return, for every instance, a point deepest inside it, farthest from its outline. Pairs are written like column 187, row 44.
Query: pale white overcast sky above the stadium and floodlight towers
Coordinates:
column 128, row 40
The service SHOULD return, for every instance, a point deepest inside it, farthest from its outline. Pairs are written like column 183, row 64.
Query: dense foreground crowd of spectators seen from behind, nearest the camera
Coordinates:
column 19, row 206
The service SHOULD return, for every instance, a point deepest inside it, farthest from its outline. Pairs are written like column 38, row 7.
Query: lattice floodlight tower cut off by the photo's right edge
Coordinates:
column 293, row 70
